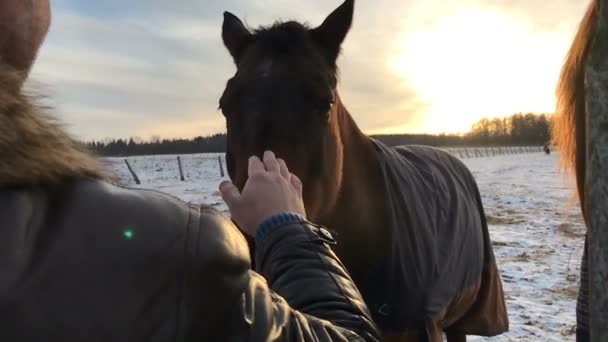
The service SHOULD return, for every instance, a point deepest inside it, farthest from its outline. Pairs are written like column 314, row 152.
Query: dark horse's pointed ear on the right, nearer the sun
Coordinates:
column 332, row 32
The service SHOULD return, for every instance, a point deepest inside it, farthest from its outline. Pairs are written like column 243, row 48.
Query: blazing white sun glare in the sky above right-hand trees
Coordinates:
column 477, row 63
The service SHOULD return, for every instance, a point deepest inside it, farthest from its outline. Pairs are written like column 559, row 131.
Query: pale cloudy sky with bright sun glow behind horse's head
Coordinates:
column 144, row 68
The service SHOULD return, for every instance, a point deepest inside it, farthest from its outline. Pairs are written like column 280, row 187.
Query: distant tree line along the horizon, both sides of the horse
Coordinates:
column 517, row 129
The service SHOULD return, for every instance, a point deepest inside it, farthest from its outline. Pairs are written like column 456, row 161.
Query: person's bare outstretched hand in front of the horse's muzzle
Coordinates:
column 270, row 189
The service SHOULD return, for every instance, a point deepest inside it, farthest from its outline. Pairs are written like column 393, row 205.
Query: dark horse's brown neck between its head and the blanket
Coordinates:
column 359, row 216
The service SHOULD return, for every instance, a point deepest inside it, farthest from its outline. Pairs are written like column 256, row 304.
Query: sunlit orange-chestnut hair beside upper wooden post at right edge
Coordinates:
column 569, row 126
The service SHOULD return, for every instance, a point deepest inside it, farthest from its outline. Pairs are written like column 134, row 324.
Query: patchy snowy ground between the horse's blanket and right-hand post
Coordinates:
column 538, row 237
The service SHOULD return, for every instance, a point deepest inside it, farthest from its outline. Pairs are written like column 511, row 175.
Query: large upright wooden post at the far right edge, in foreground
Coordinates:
column 596, row 91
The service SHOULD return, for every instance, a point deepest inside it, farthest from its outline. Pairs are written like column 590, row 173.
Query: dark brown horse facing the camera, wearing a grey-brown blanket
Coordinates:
column 409, row 222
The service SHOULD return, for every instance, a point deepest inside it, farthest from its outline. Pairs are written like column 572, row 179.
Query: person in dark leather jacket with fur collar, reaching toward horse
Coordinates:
column 82, row 259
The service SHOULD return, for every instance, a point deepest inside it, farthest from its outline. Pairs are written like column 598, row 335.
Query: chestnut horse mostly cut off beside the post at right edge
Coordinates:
column 569, row 133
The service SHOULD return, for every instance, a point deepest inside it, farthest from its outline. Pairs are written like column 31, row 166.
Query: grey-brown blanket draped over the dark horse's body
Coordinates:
column 440, row 248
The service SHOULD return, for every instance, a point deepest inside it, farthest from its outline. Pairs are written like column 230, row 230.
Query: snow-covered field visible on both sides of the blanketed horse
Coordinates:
column 534, row 223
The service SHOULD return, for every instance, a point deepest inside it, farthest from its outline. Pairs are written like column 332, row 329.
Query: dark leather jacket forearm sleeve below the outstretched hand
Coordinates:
column 314, row 298
